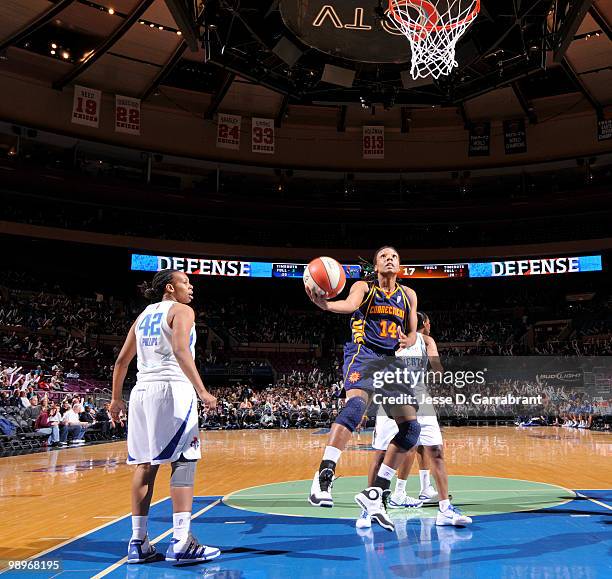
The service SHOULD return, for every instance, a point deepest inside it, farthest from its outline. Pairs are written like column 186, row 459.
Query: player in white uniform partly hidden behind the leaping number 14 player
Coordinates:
column 424, row 352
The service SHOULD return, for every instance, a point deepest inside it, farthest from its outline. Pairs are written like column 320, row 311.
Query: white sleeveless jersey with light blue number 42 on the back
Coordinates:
column 156, row 361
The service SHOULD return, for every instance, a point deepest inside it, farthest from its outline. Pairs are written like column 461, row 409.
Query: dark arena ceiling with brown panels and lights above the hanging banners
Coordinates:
column 245, row 56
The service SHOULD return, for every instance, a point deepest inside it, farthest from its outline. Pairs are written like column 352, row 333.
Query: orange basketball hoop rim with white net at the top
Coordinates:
column 433, row 28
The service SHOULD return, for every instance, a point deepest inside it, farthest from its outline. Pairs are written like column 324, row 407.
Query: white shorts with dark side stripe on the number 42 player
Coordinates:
column 163, row 423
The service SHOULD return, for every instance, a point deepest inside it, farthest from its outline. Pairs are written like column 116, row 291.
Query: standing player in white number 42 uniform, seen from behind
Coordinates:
column 163, row 413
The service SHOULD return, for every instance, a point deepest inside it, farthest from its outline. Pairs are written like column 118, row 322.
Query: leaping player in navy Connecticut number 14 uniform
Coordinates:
column 384, row 318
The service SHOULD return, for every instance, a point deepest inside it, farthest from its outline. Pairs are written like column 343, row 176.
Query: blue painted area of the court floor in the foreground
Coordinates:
column 569, row 540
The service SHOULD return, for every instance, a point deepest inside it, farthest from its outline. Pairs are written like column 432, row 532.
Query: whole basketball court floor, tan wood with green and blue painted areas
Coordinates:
column 51, row 498
